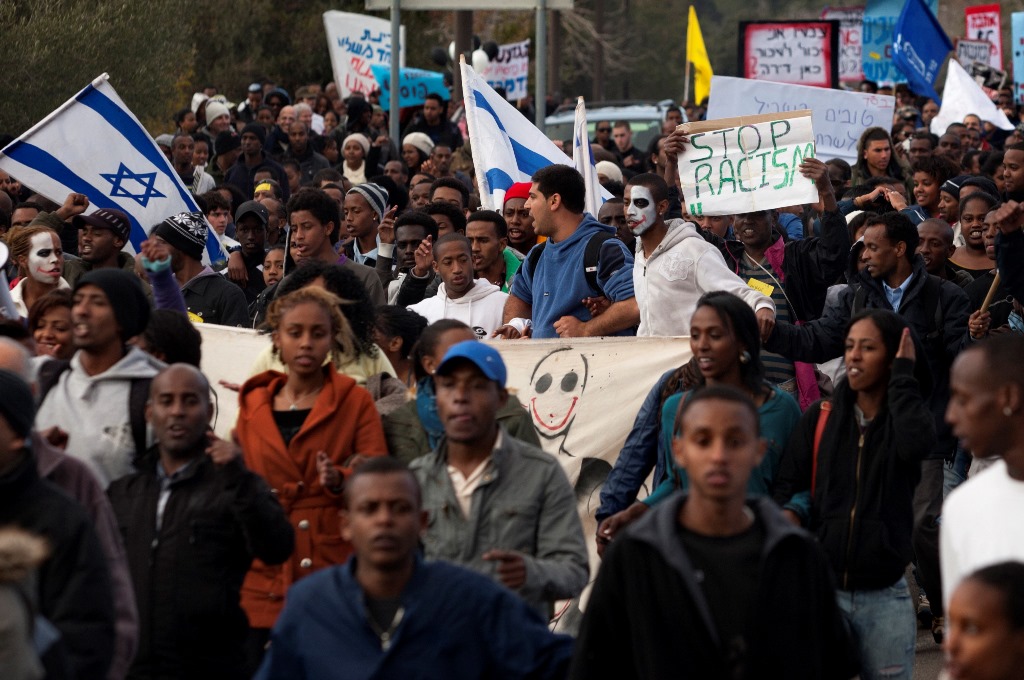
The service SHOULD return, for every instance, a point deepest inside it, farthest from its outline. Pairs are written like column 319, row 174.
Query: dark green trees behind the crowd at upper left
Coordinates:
column 160, row 52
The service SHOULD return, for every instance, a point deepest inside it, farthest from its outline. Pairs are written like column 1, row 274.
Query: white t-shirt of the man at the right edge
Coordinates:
column 983, row 525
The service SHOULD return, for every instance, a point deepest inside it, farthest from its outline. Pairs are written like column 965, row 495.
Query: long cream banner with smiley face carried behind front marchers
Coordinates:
column 583, row 396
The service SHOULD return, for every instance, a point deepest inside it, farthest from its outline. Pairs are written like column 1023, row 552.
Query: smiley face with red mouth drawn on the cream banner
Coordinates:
column 556, row 390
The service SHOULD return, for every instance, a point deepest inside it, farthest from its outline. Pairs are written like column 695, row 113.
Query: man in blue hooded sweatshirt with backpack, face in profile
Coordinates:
column 552, row 287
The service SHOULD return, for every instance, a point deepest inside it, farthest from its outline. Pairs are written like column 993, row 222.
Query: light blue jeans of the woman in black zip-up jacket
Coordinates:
column 885, row 629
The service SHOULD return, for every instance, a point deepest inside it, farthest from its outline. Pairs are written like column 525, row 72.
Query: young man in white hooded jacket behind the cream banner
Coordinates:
column 479, row 304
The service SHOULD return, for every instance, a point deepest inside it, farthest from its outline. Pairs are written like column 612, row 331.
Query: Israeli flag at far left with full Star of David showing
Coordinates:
column 94, row 145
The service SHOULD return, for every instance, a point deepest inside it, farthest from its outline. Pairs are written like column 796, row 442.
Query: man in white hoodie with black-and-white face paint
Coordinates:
column 674, row 265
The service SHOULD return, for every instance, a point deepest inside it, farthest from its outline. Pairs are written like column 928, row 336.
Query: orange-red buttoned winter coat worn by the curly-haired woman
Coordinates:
column 344, row 422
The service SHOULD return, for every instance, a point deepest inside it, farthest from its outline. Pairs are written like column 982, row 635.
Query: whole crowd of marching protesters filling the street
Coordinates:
column 849, row 430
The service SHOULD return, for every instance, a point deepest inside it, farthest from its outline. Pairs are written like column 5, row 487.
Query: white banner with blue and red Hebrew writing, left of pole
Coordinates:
column 357, row 42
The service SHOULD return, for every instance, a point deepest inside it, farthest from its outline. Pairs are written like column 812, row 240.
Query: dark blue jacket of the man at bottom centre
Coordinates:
column 456, row 624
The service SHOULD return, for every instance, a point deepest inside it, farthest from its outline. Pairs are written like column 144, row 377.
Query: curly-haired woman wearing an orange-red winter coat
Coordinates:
column 304, row 432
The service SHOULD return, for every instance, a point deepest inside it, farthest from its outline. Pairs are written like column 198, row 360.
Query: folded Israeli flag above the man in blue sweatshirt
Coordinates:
column 507, row 148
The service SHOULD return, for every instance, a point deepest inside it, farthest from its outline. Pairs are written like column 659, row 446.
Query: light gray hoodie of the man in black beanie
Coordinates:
column 94, row 411
